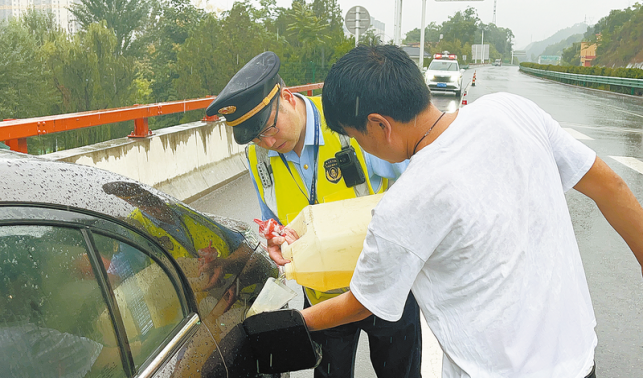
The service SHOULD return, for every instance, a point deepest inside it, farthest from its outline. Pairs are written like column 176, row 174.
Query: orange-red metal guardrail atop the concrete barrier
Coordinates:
column 14, row 132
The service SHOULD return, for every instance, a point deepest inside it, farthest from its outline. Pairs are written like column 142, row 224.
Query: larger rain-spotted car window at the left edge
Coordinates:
column 51, row 307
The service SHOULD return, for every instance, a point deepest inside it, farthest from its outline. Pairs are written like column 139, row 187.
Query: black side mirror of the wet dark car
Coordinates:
column 280, row 342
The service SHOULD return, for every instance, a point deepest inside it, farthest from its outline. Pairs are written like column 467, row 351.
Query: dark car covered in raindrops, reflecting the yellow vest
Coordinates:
column 105, row 277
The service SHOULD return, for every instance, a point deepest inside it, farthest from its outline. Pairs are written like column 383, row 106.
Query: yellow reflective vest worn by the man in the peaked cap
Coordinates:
column 288, row 200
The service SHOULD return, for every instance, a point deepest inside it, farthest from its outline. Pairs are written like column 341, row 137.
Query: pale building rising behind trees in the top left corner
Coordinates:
column 64, row 18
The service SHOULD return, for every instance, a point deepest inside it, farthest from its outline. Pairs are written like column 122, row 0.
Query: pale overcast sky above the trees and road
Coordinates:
column 530, row 20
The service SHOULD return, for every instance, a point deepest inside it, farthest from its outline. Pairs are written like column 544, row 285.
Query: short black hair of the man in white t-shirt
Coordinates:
column 373, row 79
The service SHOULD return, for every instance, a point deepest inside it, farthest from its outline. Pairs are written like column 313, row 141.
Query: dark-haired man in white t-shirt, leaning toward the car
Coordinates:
column 477, row 227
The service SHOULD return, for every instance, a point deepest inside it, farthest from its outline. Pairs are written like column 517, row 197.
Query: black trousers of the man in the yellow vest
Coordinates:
column 395, row 347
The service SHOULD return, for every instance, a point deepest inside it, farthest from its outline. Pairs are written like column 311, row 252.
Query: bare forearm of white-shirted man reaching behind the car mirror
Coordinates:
column 334, row 312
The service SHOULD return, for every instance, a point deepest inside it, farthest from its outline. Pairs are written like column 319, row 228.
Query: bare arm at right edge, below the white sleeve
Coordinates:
column 617, row 203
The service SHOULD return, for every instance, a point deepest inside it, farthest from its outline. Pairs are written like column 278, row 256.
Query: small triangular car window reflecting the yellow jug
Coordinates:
column 146, row 297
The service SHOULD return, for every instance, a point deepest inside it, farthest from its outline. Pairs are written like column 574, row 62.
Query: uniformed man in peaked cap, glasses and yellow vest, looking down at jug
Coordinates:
column 294, row 161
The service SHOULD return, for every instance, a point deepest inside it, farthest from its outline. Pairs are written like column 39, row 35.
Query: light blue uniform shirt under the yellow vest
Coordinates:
column 377, row 168
